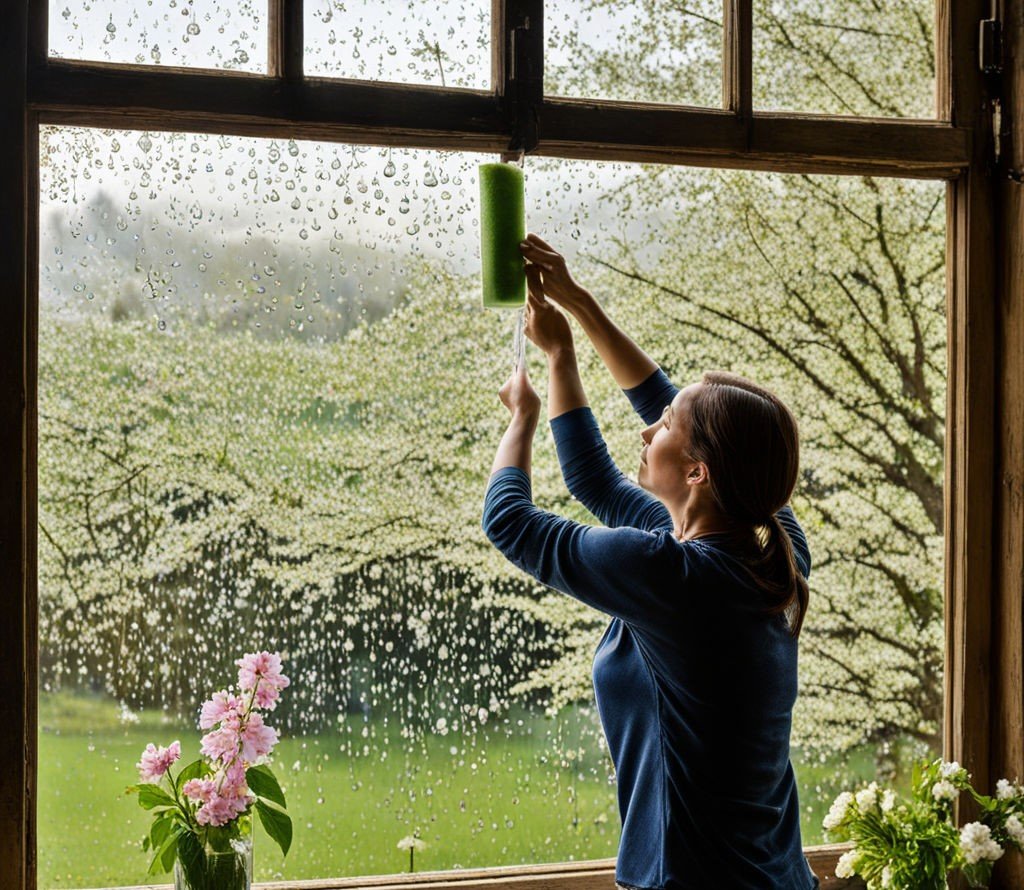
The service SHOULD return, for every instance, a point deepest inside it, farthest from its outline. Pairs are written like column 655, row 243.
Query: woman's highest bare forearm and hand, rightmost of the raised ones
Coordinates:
column 629, row 365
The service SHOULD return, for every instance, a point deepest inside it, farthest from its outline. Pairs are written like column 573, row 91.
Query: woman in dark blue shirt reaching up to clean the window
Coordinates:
column 703, row 569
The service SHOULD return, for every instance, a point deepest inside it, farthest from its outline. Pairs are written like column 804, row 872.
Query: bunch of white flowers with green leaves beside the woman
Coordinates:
column 914, row 844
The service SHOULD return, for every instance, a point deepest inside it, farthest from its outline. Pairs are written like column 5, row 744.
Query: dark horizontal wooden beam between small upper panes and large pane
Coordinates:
column 136, row 97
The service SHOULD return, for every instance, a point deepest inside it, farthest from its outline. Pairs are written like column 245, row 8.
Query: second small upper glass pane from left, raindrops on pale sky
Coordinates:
column 404, row 41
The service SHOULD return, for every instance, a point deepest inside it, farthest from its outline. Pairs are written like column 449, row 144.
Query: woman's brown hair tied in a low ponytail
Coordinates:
column 750, row 442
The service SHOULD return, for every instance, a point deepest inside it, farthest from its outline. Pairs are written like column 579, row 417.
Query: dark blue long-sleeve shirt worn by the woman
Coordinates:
column 695, row 685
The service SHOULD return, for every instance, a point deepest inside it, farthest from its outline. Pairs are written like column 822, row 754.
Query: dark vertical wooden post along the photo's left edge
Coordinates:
column 18, row 449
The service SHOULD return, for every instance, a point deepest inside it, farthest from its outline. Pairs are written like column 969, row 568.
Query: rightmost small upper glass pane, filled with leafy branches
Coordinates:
column 845, row 58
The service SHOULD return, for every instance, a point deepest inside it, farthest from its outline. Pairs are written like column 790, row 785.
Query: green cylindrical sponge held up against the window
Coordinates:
column 503, row 226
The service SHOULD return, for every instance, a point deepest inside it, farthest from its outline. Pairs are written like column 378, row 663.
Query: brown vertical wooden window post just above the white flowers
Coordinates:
column 971, row 299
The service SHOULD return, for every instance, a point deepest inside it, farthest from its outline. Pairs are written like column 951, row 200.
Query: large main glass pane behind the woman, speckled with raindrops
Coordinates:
column 268, row 410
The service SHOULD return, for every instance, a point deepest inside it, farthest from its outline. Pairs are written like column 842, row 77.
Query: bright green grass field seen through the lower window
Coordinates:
column 507, row 800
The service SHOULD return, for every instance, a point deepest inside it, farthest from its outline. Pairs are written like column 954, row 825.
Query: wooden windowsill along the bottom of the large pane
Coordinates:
column 592, row 875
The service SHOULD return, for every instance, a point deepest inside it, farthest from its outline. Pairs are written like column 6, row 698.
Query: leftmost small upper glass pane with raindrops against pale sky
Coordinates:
column 182, row 33
